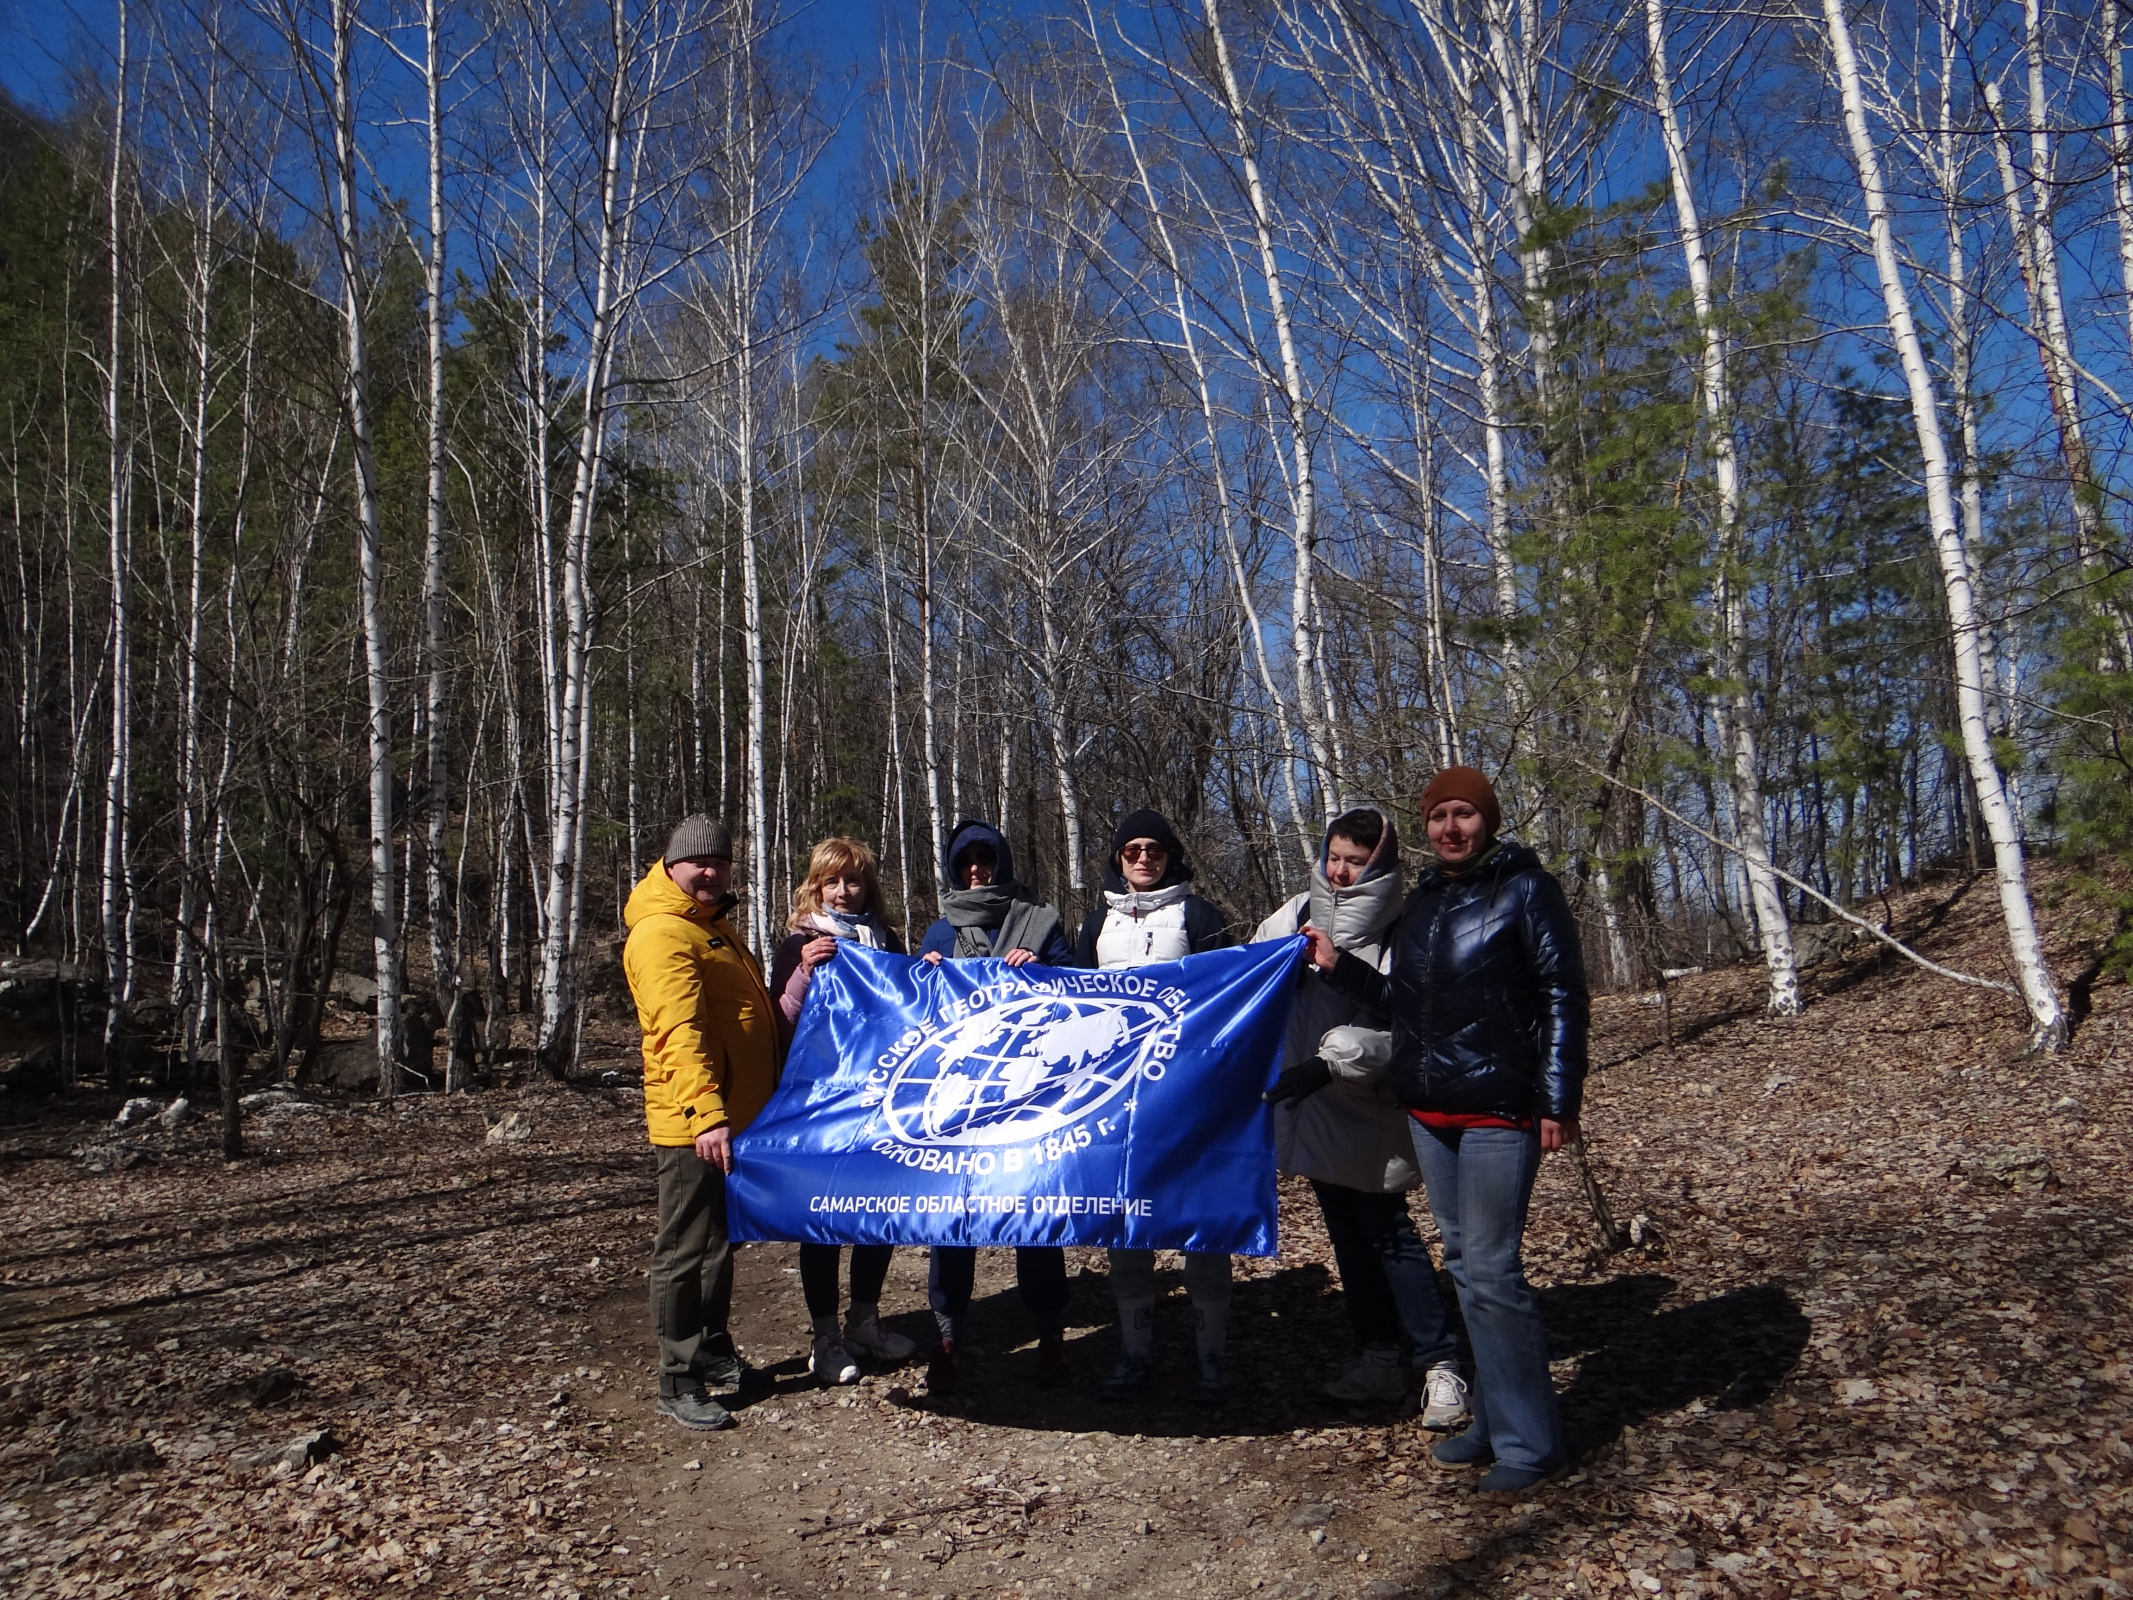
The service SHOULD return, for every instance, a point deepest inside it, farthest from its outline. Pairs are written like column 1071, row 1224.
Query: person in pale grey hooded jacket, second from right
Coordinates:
column 1338, row 1123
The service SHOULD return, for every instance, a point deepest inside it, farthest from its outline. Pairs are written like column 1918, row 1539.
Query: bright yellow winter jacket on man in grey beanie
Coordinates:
column 711, row 1040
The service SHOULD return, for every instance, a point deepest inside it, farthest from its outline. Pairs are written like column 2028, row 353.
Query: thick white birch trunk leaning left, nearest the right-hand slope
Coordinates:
column 2049, row 1021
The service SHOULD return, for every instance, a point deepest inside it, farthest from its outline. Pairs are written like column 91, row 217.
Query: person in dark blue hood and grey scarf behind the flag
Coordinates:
column 984, row 914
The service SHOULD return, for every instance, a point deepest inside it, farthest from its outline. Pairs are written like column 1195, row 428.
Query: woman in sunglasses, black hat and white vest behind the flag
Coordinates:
column 1149, row 916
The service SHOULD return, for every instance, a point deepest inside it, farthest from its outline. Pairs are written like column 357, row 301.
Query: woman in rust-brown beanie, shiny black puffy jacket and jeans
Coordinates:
column 1488, row 1006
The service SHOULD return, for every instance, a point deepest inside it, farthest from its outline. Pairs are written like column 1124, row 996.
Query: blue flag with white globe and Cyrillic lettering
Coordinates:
column 989, row 1104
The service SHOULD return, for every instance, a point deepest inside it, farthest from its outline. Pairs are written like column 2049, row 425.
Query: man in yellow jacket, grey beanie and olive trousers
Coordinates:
column 711, row 1059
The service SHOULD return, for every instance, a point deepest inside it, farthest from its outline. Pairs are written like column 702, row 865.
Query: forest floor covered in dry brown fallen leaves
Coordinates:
column 1876, row 1343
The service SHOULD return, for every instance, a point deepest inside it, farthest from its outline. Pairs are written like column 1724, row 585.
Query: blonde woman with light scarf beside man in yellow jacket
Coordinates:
column 837, row 903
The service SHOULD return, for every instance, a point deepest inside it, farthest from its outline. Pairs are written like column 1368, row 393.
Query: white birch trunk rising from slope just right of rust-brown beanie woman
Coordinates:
column 1737, row 720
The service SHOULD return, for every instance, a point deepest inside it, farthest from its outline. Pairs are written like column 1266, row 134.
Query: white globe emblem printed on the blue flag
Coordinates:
column 1021, row 1070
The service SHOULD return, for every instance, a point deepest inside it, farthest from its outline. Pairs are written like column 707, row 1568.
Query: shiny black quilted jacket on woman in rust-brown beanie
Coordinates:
column 1488, row 993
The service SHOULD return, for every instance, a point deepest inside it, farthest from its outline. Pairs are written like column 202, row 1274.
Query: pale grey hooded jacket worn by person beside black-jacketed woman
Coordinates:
column 1353, row 1132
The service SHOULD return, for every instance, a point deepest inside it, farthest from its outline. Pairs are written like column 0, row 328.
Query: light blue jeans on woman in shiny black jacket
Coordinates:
column 1479, row 1185
